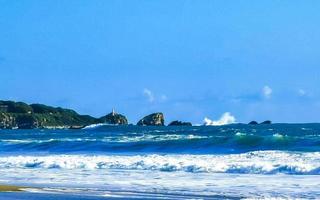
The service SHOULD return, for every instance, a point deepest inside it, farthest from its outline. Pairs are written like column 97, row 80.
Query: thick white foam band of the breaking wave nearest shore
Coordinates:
column 259, row 162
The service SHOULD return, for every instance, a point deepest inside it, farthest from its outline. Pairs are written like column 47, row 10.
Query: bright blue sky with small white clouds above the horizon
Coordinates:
column 190, row 59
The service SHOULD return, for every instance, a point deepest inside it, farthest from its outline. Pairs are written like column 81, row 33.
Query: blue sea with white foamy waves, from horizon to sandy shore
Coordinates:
column 200, row 162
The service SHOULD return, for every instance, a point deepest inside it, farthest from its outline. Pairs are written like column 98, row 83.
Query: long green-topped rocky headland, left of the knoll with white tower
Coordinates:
column 24, row 116
